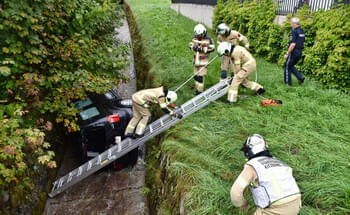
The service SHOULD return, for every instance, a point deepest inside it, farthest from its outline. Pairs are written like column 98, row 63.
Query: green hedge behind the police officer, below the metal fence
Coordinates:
column 326, row 56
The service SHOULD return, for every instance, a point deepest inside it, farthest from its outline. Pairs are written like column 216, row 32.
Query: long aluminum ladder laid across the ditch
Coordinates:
column 125, row 146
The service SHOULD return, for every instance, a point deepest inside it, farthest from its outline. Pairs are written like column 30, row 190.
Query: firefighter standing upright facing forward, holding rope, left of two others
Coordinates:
column 202, row 45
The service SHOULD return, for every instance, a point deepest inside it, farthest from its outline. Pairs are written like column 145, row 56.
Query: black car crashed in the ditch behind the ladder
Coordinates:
column 102, row 118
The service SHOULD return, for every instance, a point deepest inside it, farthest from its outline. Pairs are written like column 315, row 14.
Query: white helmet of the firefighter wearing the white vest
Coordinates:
column 253, row 145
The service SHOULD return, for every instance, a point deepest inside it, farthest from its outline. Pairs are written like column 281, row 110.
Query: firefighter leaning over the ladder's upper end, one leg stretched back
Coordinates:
column 244, row 66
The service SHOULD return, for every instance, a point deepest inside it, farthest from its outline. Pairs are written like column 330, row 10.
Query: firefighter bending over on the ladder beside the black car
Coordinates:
column 141, row 101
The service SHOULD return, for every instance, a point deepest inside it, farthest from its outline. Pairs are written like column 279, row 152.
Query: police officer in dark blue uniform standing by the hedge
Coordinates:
column 295, row 47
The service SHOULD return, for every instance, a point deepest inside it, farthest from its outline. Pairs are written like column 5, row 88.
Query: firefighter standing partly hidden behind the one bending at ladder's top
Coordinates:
column 225, row 34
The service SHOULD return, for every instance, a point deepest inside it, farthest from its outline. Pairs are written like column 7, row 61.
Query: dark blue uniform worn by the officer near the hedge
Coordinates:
column 297, row 37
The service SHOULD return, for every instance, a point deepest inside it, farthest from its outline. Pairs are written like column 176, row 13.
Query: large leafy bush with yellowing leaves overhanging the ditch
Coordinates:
column 52, row 52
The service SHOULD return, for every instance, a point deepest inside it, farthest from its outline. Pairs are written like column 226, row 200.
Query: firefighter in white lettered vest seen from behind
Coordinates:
column 270, row 180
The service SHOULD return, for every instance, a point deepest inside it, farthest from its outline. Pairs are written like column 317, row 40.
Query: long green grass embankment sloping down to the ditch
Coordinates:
column 310, row 131
